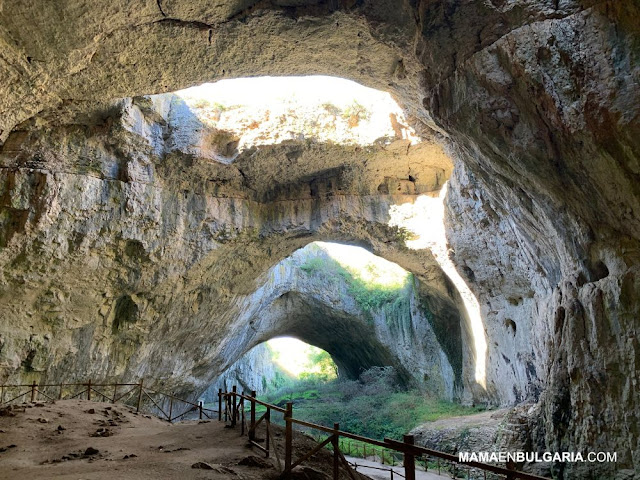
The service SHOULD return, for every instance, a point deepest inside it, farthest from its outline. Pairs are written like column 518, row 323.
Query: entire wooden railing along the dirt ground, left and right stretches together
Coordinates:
column 231, row 408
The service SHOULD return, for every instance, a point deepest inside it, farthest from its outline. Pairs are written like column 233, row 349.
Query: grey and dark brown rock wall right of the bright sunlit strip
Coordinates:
column 544, row 220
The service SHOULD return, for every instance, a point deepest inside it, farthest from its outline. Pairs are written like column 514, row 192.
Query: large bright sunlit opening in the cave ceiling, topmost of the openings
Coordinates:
column 238, row 114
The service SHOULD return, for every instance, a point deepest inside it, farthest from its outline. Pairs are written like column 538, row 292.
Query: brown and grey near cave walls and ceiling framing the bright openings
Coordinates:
column 116, row 245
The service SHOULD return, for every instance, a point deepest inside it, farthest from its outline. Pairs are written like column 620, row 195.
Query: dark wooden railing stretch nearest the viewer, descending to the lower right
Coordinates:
column 233, row 405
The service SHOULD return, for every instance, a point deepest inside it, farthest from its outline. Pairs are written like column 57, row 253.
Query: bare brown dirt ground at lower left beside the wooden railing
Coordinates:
column 82, row 440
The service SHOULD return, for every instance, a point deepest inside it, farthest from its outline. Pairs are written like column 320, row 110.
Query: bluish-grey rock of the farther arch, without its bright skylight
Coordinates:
column 319, row 308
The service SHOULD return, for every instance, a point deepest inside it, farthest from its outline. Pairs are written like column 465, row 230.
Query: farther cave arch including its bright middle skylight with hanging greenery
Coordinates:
column 363, row 310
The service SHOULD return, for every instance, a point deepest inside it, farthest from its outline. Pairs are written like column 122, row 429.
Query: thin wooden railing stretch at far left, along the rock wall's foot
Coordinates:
column 136, row 395
